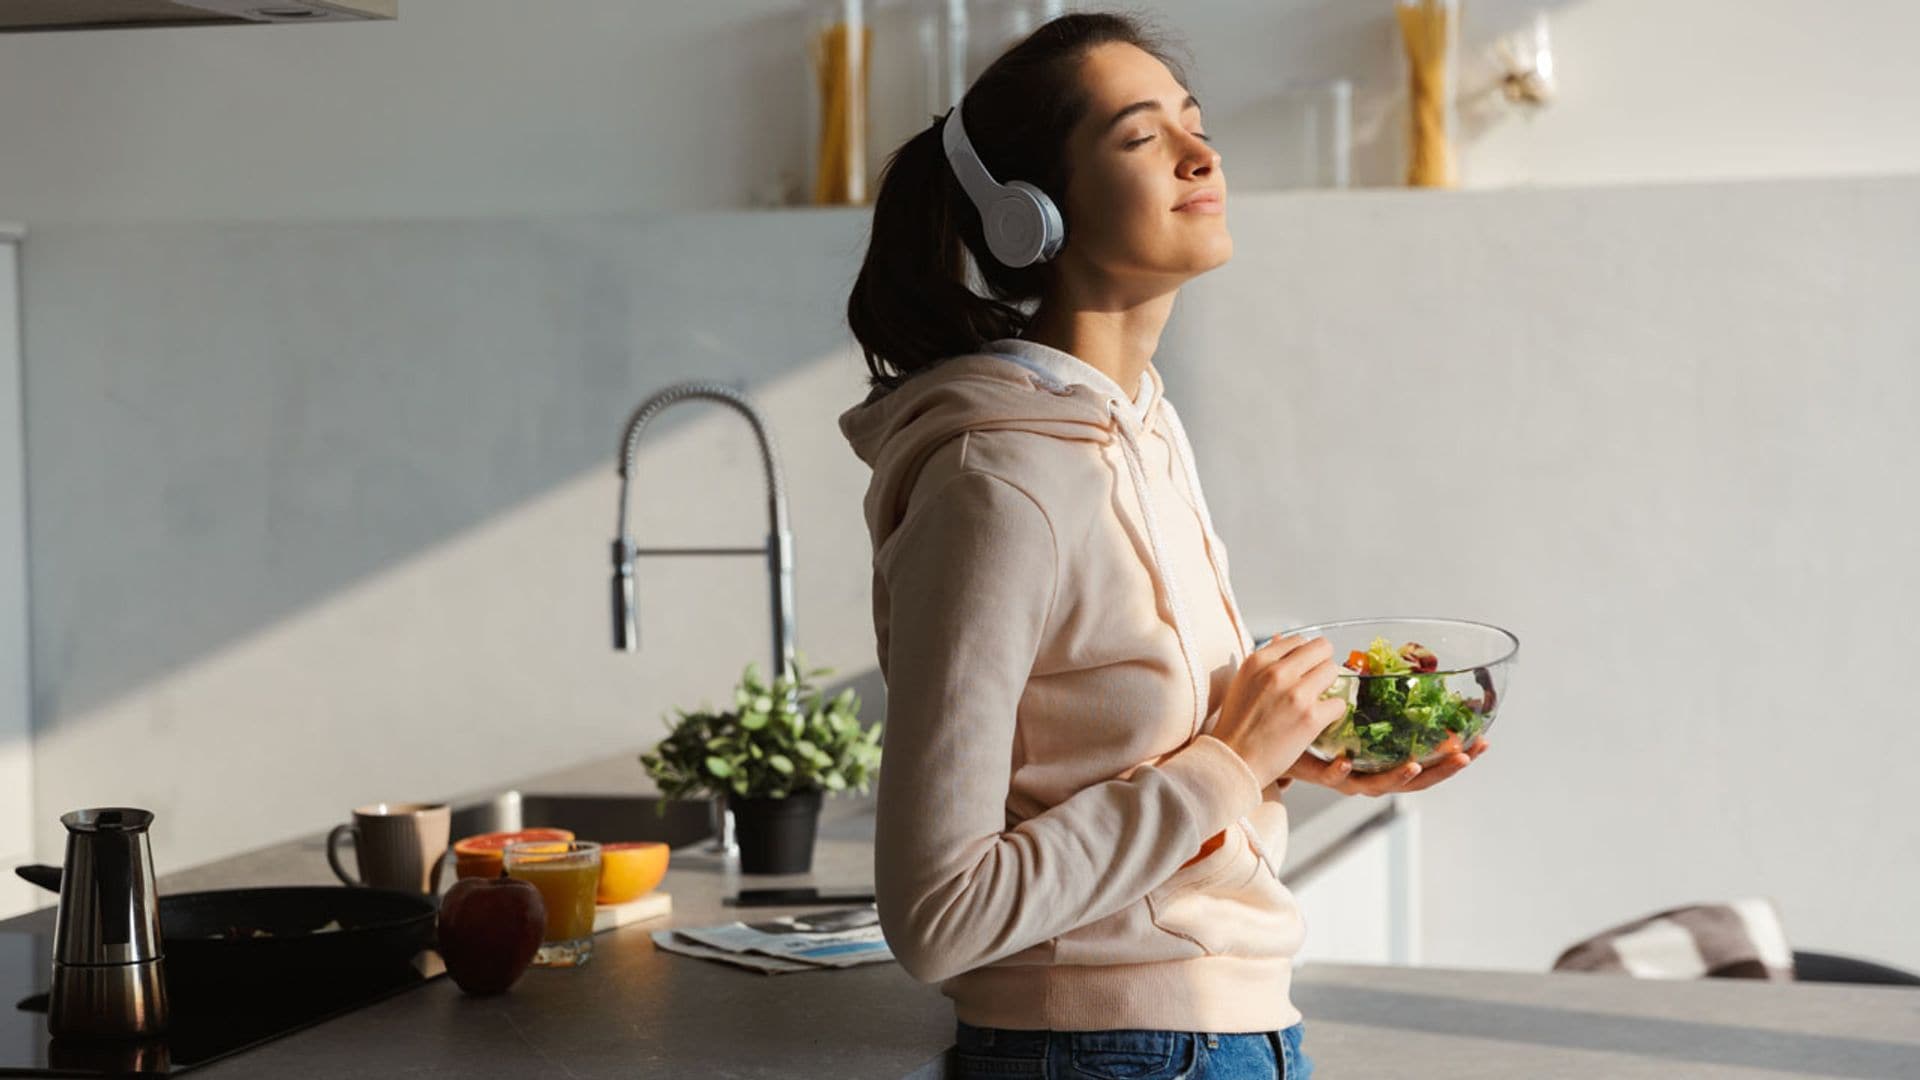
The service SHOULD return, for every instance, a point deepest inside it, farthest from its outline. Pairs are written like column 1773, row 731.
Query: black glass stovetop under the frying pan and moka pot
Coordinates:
column 206, row 1025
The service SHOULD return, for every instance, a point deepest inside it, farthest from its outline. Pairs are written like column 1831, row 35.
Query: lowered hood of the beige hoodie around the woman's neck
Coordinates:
column 900, row 430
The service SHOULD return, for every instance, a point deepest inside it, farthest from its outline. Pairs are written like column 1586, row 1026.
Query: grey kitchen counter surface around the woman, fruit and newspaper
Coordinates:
column 640, row 1012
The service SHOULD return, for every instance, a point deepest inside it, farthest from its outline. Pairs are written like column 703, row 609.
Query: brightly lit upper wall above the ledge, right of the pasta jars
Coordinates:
column 1717, row 89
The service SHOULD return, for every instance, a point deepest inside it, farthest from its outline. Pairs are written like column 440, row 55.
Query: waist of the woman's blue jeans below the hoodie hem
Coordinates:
column 1130, row 1056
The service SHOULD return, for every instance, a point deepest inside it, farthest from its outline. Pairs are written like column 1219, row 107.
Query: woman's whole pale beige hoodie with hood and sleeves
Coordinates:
column 1057, row 633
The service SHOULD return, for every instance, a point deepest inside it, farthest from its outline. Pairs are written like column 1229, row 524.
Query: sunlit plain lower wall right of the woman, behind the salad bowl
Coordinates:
column 1662, row 435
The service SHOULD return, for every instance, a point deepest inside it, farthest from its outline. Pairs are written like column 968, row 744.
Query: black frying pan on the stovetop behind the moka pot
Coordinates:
column 256, row 935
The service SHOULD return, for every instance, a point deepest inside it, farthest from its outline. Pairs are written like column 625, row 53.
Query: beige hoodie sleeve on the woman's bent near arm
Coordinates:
column 969, row 591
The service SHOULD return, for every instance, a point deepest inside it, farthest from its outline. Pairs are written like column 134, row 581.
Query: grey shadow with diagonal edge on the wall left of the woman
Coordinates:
column 231, row 424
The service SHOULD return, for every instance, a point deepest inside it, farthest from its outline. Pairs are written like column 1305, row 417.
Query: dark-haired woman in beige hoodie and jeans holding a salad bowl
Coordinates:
column 1080, row 810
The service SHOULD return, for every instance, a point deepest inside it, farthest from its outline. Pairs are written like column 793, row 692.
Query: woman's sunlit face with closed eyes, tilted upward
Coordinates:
column 1134, row 164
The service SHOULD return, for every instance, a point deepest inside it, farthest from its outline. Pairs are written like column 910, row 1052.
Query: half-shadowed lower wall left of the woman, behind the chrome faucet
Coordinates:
column 322, row 514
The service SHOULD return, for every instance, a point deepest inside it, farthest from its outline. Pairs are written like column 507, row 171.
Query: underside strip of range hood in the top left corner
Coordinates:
column 22, row 16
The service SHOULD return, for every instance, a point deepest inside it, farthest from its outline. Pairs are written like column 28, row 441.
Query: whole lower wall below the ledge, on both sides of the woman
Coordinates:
column 320, row 512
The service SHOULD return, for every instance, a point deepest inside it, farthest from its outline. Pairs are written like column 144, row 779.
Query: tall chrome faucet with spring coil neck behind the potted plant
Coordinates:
column 779, row 549
